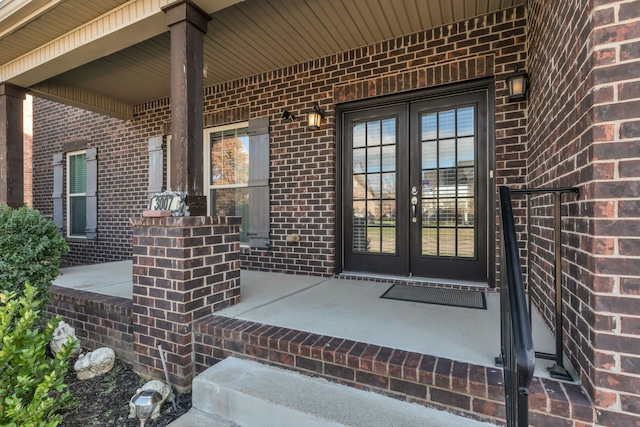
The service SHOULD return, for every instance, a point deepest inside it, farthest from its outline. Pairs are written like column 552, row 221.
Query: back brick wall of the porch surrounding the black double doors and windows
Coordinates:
column 302, row 196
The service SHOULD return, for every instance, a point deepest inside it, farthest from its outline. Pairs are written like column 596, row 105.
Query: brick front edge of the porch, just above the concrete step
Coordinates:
column 466, row 389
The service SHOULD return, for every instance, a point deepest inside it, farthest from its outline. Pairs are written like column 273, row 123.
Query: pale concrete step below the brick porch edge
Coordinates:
column 249, row 394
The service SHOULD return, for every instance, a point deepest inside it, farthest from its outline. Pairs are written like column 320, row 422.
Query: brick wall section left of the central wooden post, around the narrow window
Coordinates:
column 122, row 175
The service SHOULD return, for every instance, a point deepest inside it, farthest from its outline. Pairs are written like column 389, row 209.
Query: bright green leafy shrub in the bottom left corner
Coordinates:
column 32, row 384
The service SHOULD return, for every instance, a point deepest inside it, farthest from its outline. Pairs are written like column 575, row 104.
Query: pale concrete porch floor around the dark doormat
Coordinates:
column 350, row 309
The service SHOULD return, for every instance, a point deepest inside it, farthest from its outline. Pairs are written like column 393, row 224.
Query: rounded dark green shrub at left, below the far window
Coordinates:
column 31, row 248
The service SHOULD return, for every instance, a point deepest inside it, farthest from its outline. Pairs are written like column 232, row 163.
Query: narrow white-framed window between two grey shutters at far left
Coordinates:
column 76, row 194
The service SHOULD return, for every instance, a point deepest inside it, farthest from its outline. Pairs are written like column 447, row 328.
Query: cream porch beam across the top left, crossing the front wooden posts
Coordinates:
column 122, row 27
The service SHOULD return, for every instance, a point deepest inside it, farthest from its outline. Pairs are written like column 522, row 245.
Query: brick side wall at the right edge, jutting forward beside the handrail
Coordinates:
column 584, row 121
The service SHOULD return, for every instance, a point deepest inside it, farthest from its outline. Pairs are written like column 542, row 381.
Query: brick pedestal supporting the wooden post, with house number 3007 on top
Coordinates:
column 184, row 268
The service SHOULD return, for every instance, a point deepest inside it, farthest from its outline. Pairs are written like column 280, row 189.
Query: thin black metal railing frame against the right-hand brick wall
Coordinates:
column 558, row 370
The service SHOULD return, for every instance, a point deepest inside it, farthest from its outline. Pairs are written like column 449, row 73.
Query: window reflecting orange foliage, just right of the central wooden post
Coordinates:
column 227, row 151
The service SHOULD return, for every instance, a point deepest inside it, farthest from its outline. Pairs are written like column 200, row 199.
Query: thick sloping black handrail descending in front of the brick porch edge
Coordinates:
column 518, row 355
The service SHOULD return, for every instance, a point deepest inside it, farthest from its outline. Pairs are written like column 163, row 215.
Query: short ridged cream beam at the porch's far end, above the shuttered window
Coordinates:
column 82, row 98
